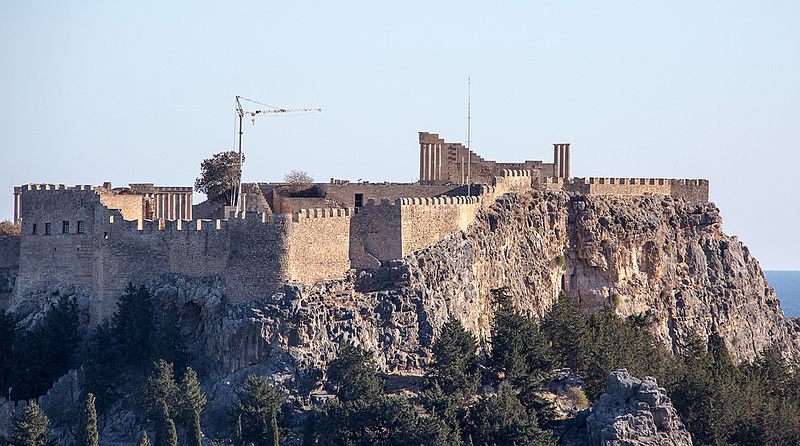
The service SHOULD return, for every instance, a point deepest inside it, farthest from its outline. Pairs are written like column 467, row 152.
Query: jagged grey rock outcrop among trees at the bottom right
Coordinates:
column 635, row 412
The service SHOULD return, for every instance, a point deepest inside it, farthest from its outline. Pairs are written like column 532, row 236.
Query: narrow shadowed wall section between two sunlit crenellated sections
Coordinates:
column 375, row 234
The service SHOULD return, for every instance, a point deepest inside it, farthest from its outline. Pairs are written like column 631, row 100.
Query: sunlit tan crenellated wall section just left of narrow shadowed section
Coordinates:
column 318, row 242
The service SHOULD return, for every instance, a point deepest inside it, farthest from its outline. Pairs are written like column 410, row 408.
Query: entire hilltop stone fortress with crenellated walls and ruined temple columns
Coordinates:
column 104, row 238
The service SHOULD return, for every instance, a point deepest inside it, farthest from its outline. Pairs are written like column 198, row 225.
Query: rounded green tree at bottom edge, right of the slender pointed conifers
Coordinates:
column 257, row 405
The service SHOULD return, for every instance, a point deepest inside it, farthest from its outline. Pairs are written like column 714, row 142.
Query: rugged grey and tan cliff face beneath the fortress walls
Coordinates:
column 633, row 253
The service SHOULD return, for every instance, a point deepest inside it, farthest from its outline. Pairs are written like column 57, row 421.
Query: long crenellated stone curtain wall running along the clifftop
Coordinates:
column 254, row 253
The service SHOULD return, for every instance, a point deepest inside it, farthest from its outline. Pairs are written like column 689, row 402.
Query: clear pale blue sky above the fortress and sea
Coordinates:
column 143, row 91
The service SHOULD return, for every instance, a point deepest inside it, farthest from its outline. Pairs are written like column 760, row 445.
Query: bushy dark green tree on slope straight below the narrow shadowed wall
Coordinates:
column 353, row 371
